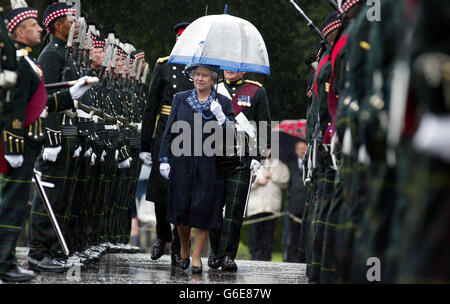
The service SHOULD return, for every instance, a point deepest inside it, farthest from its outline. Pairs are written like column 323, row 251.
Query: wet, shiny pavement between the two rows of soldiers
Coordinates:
column 141, row 269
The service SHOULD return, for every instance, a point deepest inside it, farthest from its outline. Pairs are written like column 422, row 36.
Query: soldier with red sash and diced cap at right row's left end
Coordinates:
column 323, row 175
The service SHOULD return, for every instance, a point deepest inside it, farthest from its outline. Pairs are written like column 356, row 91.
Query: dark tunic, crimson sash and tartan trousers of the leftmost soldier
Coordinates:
column 23, row 135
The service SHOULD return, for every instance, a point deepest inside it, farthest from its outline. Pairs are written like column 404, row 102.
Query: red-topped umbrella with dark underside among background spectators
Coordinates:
column 290, row 132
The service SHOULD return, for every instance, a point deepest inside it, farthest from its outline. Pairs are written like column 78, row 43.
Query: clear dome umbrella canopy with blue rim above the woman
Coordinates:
column 228, row 42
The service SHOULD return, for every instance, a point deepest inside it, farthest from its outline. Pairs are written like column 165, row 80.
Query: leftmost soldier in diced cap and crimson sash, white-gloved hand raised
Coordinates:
column 23, row 136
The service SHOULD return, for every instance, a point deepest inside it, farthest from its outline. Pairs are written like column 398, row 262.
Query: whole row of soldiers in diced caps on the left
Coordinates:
column 84, row 141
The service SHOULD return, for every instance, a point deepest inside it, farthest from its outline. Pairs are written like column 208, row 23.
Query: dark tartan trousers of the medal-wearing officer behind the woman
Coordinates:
column 235, row 184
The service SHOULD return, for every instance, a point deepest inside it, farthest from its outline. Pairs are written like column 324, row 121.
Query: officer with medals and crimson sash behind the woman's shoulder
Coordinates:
column 250, row 99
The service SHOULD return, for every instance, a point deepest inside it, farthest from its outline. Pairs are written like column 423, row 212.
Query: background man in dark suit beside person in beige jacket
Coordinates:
column 295, row 205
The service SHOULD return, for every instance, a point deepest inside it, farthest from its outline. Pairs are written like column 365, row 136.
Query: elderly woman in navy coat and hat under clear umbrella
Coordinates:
column 192, row 200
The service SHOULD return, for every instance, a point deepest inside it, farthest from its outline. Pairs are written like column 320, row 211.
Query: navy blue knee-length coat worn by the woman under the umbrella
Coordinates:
column 192, row 197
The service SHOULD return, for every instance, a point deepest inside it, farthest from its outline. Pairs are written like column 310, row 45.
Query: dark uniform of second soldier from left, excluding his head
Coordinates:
column 61, row 131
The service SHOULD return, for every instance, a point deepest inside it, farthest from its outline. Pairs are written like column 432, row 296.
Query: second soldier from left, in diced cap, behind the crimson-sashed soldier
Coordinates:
column 61, row 144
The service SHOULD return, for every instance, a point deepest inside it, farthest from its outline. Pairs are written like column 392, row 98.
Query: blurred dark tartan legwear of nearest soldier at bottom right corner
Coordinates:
column 425, row 255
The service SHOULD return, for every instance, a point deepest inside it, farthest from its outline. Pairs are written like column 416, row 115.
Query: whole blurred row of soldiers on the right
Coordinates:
column 377, row 169
